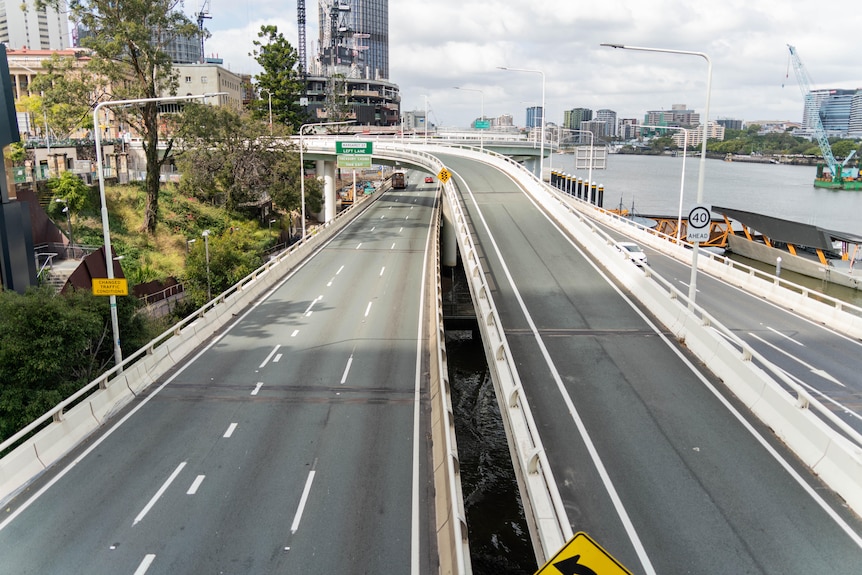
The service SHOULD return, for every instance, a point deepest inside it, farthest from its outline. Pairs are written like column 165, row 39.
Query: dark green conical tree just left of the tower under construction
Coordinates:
column 280, row 78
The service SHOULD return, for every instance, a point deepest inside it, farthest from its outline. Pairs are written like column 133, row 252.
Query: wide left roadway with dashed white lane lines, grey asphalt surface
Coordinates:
column 295, row 442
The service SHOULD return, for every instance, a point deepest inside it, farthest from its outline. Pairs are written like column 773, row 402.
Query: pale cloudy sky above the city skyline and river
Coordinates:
column 437, row 45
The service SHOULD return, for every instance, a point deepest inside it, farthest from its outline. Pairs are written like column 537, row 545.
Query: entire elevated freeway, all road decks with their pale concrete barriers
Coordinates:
column 300, row 423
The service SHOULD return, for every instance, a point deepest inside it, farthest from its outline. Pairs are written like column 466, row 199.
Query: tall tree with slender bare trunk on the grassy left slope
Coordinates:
column 129, row 41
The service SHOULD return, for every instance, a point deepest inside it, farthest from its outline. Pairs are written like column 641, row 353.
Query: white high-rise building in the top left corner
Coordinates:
column 22, row 26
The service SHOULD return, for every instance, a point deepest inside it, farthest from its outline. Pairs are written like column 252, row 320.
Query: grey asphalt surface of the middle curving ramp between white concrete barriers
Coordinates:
column 652, row 460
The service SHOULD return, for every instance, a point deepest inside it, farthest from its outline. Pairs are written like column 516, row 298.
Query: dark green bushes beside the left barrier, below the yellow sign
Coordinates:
column 52, row 345
